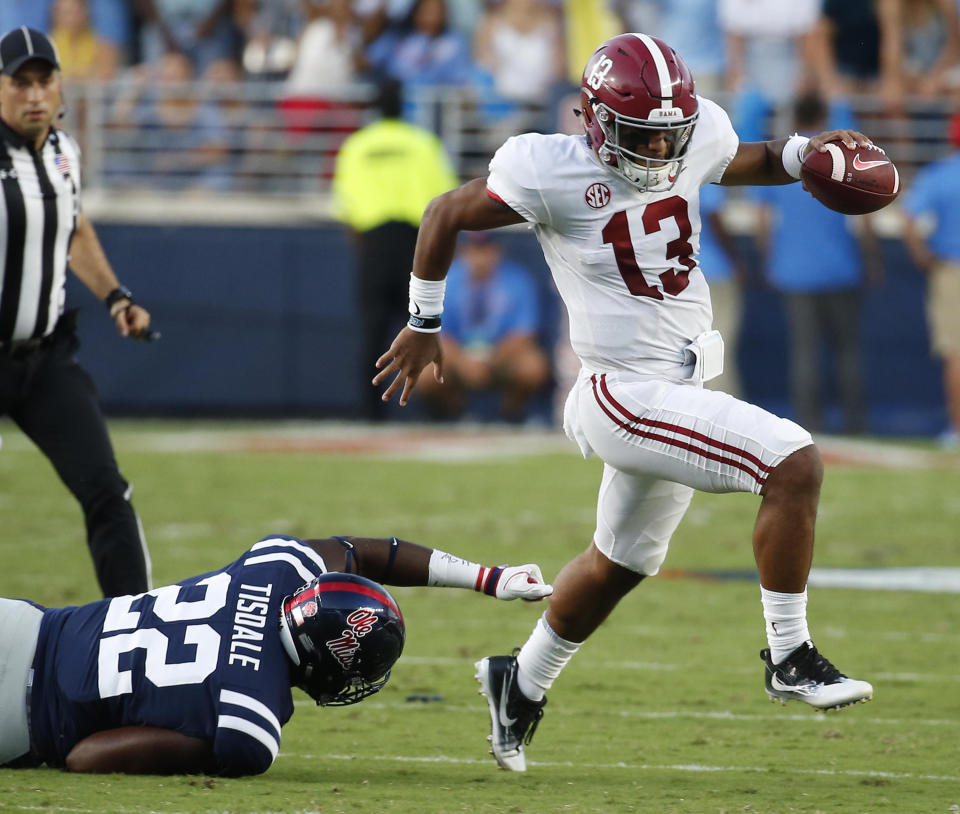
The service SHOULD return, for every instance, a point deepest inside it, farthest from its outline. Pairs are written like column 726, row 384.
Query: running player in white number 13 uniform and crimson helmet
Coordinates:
column 616, row 213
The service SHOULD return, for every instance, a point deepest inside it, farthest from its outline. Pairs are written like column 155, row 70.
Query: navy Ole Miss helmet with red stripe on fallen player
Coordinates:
column 343, row 633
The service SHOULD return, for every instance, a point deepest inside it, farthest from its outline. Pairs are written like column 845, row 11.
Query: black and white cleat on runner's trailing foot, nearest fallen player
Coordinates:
column 513, row 716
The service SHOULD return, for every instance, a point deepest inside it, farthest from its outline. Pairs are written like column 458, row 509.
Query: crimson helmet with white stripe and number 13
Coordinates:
column 635, row 91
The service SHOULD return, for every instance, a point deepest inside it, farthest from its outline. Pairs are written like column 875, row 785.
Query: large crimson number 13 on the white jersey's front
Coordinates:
column 617, row 234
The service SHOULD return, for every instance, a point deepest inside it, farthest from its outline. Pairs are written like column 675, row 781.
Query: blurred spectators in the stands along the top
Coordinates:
column 516, row 61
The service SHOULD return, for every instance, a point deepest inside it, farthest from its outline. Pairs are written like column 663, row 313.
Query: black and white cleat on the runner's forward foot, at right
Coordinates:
column 807, row 676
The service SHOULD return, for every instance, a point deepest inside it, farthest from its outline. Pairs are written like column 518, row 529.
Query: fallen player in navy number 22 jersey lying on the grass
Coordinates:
column 197, row 676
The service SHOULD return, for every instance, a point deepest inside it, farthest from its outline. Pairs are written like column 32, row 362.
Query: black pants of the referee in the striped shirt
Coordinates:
column 54, row 401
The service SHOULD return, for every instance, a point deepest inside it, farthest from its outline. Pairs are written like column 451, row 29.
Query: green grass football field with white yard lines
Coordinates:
column 662, row 710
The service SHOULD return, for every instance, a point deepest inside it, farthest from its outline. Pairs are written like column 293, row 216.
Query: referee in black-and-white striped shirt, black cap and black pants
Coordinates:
column 42, row 231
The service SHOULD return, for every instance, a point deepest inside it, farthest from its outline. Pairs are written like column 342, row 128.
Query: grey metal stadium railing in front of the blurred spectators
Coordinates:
column 250, row 152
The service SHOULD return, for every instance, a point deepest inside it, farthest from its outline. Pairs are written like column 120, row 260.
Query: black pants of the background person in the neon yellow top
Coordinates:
column 385, row 256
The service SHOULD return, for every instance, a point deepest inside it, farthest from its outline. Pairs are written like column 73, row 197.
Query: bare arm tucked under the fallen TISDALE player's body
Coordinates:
column 141, row 750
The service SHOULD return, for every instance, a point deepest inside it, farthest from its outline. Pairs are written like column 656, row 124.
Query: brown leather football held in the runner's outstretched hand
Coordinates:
column 853, row 182
